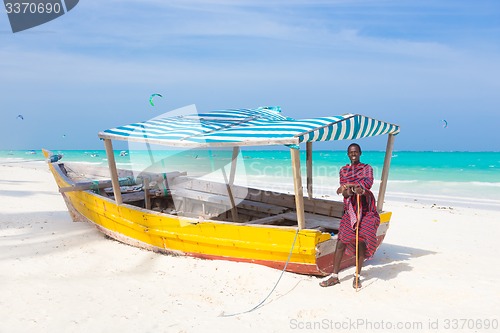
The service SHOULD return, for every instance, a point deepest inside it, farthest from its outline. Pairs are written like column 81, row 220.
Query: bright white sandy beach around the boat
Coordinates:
column 437, row 271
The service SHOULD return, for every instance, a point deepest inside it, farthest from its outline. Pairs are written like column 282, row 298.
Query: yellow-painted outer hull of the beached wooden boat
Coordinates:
column 304, row 251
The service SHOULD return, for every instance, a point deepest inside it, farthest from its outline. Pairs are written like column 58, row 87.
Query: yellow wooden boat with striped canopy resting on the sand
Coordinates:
column 176, row 213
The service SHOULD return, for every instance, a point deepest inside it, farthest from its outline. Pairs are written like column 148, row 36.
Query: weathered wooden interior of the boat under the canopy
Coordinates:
column 185, row 196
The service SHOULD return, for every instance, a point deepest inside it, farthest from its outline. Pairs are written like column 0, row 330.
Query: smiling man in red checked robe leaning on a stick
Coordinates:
column 355, row 179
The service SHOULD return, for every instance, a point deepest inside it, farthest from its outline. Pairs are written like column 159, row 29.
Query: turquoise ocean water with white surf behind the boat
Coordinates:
column 440, row 178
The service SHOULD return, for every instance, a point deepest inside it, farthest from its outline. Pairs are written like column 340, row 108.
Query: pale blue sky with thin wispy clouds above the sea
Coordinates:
column 413, row 63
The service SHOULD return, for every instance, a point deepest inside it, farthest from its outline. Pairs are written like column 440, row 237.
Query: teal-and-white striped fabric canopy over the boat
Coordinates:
column 248, row 127
